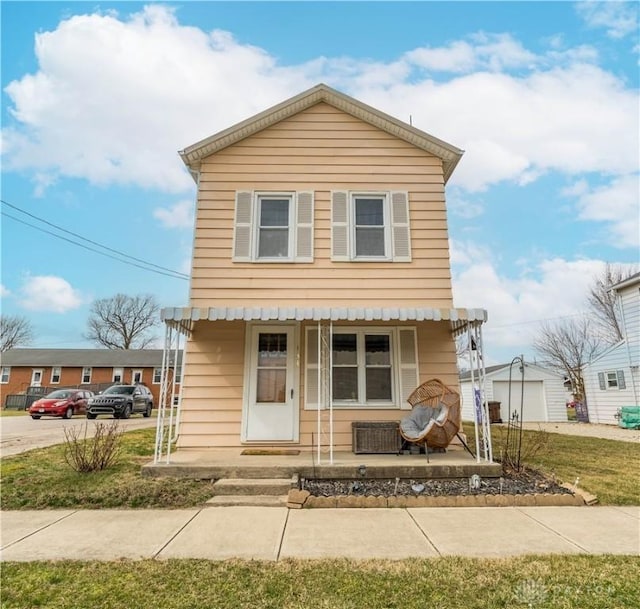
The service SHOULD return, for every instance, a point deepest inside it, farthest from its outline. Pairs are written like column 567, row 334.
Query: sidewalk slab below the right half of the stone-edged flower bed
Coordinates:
column 489, row 532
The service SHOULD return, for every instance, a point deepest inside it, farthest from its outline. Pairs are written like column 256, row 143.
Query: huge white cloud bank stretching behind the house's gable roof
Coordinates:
column 150, row 86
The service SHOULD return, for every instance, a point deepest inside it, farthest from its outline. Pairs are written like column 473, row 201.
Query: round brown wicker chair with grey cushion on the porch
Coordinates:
column 440, row 431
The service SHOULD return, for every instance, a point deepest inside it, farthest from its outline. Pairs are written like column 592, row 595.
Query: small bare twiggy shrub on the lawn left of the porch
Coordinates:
column 91, row 454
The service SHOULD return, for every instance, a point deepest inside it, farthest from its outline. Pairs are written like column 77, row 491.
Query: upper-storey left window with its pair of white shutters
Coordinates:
column 273, row 227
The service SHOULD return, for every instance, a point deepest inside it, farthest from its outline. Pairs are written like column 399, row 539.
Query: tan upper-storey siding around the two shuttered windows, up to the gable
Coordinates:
column 321, row 150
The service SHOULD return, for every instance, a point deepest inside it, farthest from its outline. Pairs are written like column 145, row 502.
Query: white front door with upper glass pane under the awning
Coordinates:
column 271, row 410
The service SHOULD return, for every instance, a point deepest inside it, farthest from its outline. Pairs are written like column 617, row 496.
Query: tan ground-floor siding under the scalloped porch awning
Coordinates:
column 213, row 393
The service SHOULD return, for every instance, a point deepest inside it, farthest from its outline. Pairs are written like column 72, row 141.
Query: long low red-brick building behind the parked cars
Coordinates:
column 87, row 368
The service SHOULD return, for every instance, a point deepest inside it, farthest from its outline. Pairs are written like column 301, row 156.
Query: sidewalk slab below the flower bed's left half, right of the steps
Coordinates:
column 357, row 534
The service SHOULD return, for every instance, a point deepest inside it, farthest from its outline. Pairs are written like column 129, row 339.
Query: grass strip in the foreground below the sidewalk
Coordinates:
column 588, row 582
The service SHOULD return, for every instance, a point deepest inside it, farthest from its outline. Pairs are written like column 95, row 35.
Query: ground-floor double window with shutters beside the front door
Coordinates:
column 370, row 367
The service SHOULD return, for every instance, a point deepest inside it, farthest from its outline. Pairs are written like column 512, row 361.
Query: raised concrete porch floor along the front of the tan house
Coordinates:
column 230, row 463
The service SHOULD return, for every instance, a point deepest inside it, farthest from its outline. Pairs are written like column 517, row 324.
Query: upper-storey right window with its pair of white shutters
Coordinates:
column 370, row 226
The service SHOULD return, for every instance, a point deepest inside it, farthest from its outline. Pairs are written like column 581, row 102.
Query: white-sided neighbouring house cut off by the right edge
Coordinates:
column 612, row 380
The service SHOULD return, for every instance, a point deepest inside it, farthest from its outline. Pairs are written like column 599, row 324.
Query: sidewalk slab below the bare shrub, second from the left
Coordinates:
column 102, row 535
